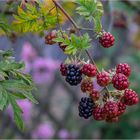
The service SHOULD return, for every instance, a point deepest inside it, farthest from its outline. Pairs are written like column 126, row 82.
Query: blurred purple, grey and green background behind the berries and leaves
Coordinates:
column 56, row 115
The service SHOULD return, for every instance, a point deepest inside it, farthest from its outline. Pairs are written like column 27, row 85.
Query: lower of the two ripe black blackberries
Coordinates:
column 86, row 106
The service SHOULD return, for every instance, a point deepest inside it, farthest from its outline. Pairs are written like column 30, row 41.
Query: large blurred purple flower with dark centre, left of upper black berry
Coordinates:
column 43, row 70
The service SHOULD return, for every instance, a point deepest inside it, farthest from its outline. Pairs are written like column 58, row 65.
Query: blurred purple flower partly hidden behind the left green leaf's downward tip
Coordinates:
column 26, row 107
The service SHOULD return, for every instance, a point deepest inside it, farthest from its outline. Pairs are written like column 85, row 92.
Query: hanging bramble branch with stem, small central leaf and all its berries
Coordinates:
column 108, row 103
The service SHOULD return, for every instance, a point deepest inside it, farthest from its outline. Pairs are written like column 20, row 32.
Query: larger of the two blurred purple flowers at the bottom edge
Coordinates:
column 44, row 131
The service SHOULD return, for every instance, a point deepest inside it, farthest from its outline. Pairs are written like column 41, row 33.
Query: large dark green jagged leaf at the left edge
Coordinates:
column 14, row 85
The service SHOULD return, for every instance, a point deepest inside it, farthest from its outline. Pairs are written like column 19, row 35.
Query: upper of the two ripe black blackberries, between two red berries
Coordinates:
column 74, row 75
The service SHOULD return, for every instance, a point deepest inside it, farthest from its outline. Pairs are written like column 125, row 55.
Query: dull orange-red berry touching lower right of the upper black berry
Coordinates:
column 86, row 85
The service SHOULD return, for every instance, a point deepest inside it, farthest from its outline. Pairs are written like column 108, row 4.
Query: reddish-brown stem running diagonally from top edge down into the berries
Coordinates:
column 77, row 28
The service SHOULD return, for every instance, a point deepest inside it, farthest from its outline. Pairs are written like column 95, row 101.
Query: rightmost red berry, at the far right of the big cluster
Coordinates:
column 130, row 97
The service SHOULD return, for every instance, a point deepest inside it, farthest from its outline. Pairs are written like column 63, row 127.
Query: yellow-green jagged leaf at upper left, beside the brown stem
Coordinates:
column 34, row 19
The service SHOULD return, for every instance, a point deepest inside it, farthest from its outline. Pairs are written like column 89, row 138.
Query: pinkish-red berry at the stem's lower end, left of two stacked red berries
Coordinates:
column 103, row 79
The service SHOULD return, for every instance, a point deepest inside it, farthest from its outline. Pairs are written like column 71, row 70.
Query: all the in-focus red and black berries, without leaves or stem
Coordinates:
column 104, row 104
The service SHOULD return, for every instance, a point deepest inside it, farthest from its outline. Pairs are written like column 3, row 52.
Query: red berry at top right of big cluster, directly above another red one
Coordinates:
column 124, row 69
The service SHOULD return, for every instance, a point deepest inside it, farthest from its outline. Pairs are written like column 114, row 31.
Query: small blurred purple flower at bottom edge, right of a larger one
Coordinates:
column 63, row 134
